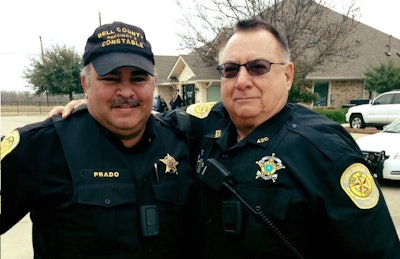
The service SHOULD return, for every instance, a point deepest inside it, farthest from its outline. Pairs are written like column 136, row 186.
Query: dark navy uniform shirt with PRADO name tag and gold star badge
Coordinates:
column 90, row 197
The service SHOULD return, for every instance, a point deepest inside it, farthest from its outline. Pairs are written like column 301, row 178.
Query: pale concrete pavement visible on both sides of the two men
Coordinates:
column 17, row 242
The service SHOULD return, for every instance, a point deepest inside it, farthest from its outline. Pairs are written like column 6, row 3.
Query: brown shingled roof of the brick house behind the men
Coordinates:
column 372, row 45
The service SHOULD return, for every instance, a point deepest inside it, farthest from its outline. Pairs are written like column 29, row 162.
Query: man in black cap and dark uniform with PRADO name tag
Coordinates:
column 125, row 191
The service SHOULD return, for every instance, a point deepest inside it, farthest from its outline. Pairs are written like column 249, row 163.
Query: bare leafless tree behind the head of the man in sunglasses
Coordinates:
column 316, row 35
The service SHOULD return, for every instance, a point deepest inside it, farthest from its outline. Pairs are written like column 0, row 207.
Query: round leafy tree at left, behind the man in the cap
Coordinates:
column 56, row 73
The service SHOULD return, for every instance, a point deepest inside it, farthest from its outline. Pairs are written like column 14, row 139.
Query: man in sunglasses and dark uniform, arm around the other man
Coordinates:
column 278, row 180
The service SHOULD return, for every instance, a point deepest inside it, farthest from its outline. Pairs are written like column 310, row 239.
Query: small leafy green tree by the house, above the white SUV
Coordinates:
column 383, row 78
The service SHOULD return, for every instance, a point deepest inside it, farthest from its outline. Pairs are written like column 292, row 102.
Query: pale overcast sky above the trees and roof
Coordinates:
column 70, row 22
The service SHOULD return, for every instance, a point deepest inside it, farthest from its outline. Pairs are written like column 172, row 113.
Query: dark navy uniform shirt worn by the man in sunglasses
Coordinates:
column 305, row 173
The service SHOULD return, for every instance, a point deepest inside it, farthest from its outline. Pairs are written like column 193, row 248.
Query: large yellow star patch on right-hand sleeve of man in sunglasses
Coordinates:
column 360, row 186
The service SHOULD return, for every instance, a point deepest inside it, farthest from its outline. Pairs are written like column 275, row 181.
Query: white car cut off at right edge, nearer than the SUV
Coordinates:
column 382, row 151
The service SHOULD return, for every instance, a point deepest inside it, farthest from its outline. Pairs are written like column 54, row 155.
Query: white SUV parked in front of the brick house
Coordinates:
column 381, row 111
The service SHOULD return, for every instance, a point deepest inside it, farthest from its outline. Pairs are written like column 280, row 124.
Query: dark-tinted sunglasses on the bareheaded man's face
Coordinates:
column 255, row 67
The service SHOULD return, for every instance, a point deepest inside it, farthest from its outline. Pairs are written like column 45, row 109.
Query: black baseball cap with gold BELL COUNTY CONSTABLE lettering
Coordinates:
column 118, row 45
